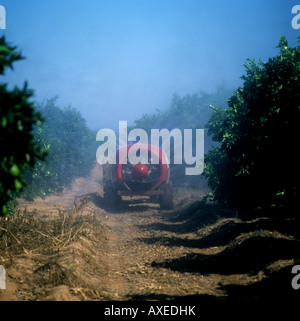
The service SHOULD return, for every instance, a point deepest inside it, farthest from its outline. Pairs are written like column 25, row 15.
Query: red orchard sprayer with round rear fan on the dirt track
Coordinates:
column 138, row 177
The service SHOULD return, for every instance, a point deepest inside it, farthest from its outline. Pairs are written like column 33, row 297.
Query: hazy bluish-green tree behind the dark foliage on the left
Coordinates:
column 69, row 144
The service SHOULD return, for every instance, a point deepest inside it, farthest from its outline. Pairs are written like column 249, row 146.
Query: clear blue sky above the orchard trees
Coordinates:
column 115, row 60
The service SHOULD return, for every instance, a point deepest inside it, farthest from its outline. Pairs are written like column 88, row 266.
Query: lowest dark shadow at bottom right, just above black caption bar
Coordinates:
column 273, row 292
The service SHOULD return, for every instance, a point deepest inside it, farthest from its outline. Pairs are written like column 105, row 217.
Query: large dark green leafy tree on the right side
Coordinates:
column 257, row 161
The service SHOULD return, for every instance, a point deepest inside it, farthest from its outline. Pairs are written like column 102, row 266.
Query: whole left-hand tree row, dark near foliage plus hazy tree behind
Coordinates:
column 43, row 147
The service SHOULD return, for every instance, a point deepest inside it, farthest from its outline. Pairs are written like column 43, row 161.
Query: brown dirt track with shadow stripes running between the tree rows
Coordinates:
column 144, row 253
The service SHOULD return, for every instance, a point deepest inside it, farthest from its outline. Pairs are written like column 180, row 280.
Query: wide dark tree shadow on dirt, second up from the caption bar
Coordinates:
column 249, row 255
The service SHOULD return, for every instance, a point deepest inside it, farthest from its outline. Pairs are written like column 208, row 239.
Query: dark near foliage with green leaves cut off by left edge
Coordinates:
column 18, row 151
